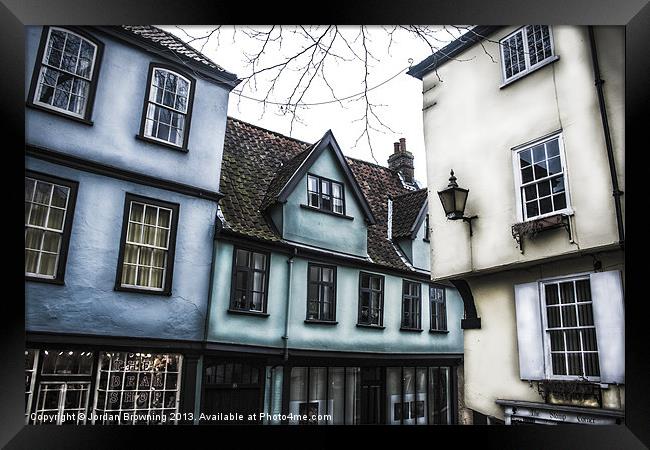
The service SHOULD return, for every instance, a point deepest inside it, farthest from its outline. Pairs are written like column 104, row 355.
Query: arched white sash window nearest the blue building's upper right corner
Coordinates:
column 168, row 107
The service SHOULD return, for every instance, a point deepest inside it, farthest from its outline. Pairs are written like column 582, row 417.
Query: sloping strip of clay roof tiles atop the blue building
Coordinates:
column 160, row 38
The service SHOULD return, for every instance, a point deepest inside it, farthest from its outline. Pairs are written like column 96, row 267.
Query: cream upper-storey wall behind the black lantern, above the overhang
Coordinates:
column 482, row 122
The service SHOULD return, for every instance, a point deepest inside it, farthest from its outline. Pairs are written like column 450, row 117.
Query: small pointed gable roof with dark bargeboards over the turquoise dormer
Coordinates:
column 296, row 168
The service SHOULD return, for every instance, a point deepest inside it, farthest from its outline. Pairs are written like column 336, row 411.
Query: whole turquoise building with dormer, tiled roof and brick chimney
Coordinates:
column 322, row 307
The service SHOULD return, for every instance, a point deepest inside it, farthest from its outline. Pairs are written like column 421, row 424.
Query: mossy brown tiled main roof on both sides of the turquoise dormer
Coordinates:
column 254, row 159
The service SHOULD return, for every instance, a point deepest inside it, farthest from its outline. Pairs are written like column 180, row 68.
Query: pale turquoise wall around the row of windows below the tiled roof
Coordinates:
column 344, row 336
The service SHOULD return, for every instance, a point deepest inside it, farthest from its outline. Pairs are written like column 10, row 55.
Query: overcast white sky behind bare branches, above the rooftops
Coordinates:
column 401, row 97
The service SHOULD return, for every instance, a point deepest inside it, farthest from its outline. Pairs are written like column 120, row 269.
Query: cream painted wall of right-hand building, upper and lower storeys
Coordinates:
column 470, row 125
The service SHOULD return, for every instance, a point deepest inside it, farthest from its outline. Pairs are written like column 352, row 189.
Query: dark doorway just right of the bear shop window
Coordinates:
column 233, row 393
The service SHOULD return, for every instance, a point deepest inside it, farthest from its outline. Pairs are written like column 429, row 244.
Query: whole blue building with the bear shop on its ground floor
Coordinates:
column 124, row 139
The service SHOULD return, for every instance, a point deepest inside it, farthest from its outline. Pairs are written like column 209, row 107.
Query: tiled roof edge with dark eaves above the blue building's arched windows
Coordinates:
column 173, row 48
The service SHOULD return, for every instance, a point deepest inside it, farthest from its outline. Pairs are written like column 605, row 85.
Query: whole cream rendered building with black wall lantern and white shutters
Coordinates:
column 516, row 113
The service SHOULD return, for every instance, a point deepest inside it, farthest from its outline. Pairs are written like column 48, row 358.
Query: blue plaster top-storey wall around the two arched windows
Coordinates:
column 121, row 88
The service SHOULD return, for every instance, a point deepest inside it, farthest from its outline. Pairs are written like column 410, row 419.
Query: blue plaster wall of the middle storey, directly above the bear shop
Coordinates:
column 87, row 303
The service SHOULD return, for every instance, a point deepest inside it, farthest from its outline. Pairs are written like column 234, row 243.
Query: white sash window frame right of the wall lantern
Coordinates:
column 521, row 215
